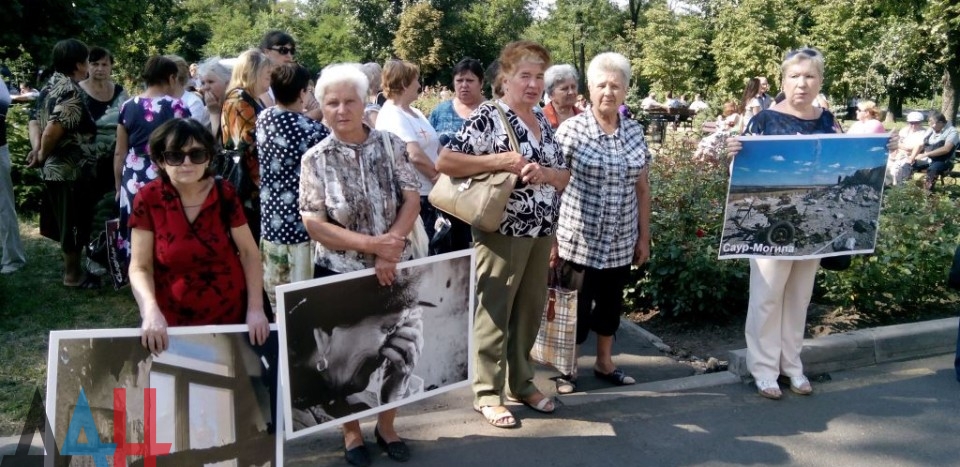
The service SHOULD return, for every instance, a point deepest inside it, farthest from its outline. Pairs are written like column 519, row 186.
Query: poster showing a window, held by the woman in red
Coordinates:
column 212, row 397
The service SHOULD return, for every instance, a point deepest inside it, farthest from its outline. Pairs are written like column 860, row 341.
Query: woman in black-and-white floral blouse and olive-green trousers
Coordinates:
column 512, row 262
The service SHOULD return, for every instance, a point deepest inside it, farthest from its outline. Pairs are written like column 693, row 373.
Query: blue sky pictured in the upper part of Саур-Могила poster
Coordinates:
column 805, row 160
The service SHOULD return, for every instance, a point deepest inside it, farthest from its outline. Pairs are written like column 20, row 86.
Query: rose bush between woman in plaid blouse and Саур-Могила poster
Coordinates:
column 683, row 278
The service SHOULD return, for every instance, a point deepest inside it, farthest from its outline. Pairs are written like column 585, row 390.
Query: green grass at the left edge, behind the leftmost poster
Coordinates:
column 33, row 302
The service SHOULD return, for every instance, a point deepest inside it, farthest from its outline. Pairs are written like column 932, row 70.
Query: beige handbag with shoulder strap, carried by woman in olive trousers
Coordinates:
column 481, row 199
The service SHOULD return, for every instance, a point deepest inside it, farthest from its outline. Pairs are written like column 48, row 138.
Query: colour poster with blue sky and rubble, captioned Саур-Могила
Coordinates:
column 804, row 196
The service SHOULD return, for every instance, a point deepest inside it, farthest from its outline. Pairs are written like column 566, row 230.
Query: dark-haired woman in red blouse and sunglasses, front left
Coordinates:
column 194, row 261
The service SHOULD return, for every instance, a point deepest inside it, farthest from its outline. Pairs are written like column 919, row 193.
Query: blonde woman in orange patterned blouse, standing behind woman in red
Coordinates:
column 250, row 78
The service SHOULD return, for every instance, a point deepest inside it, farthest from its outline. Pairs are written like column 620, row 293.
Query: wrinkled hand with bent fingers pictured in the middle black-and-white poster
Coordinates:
column 402, row 352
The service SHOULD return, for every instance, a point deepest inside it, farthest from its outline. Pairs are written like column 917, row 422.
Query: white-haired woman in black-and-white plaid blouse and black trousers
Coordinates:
column 604, row 224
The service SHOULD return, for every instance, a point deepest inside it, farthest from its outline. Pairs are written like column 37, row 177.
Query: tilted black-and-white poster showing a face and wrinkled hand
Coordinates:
column 351, row 348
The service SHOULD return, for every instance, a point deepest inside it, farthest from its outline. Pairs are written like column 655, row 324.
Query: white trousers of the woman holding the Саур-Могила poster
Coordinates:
column 780, row 292
